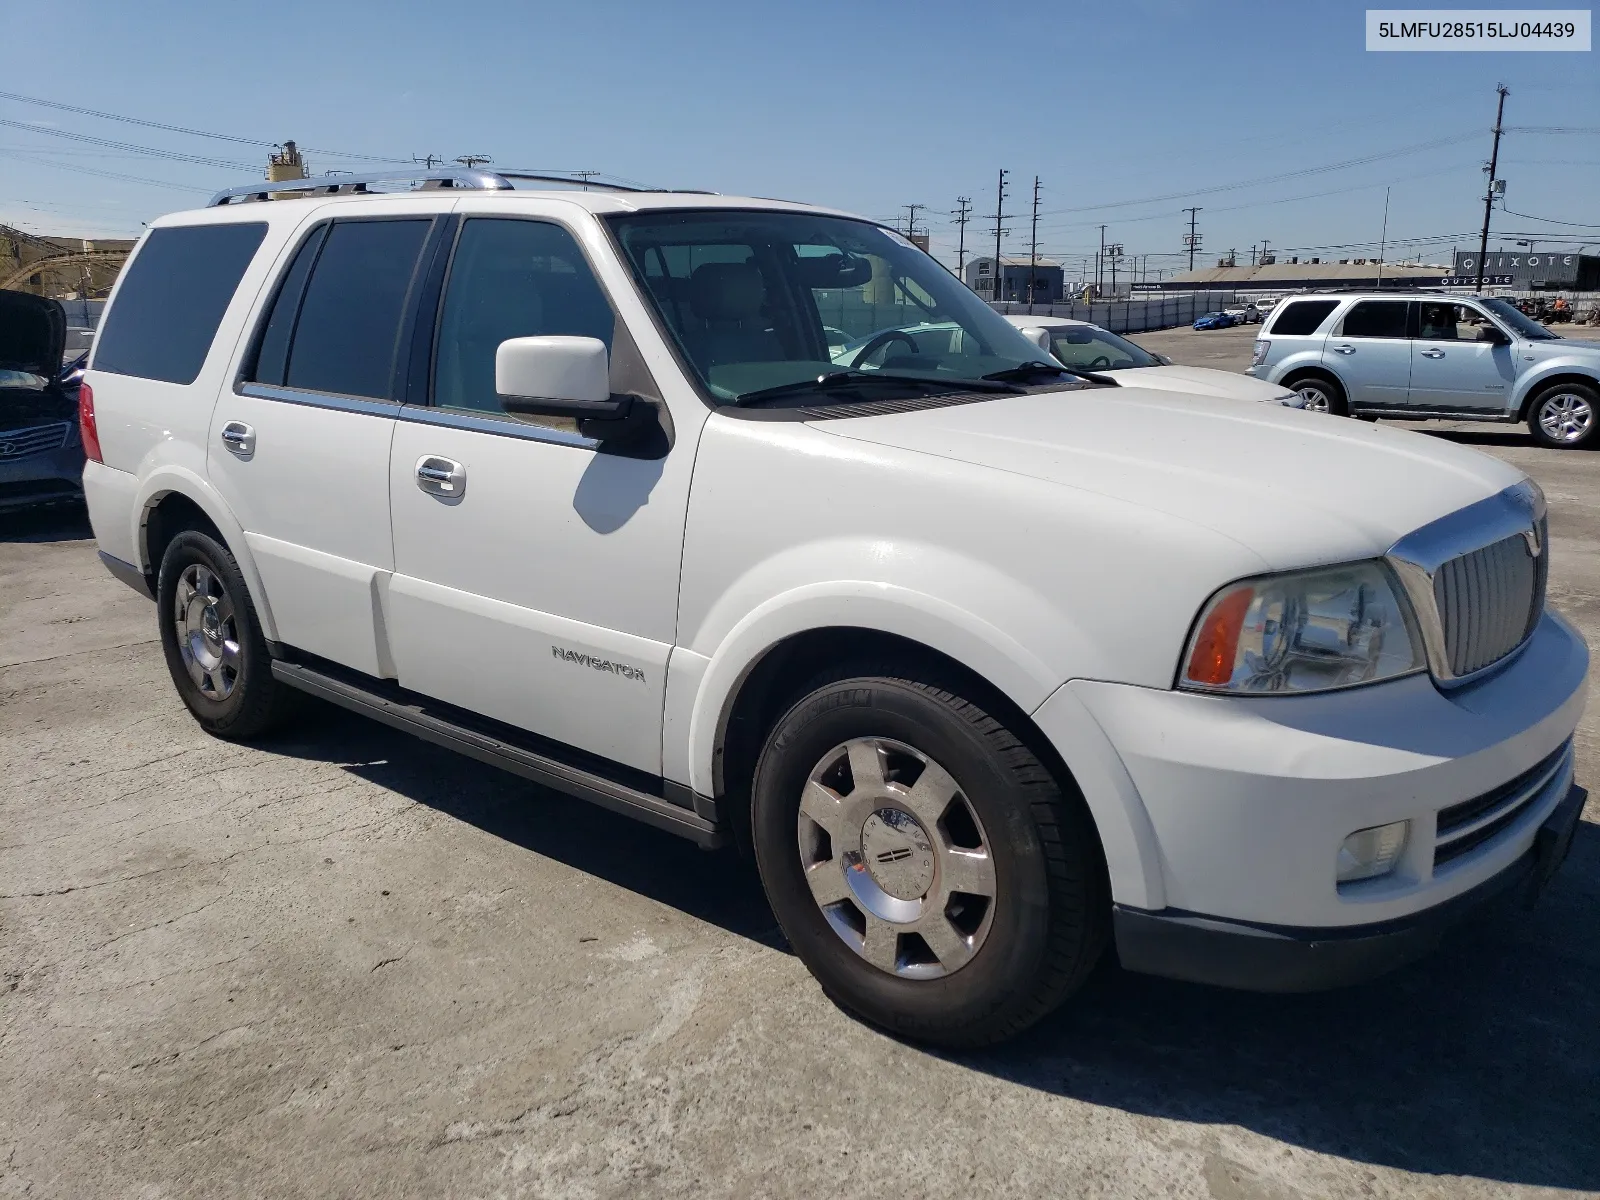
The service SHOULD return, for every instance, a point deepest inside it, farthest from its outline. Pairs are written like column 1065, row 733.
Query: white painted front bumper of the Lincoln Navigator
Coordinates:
column 1230, row 812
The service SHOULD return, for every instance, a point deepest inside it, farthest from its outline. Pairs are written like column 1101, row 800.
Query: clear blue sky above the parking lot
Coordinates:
column 865, row 106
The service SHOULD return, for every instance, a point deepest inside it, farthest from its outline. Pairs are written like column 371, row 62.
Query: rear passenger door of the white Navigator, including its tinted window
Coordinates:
column 300, row 444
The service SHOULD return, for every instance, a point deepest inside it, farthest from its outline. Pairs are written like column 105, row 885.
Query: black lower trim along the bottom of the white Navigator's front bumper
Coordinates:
column 1297, row 959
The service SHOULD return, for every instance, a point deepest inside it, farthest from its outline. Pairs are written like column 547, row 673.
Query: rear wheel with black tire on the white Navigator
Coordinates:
column 247, row 702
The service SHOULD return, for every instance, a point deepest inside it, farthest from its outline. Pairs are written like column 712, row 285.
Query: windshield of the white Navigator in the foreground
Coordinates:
column 761, row 300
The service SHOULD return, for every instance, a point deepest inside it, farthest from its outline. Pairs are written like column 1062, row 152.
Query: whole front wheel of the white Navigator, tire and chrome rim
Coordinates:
column 924, row 863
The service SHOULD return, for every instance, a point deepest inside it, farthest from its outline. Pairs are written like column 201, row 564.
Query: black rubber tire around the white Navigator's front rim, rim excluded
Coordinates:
column 1018, row 935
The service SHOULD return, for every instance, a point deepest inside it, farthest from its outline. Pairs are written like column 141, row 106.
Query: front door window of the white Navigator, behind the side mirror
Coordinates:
column 510, row 279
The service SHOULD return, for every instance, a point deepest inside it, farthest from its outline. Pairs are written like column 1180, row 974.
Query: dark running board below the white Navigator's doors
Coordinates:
column 535, row 767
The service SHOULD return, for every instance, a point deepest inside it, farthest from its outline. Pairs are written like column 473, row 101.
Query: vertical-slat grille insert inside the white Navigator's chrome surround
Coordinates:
column 1489, row 601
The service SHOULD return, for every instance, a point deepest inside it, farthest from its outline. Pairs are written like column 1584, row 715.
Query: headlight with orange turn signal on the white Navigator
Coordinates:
column 1306, row 631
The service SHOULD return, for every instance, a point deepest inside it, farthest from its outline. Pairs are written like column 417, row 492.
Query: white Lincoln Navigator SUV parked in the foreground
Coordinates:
column 988, row 662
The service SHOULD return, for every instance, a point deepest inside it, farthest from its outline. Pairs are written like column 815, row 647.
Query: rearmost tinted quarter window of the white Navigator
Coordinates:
column 174, row 298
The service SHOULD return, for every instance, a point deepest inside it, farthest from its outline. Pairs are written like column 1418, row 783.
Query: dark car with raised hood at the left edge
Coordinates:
column 41, row 450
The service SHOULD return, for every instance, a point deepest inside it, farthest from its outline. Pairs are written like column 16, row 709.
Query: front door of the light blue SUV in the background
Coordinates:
column 1462, row 361
